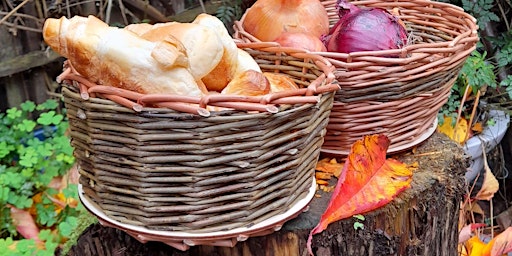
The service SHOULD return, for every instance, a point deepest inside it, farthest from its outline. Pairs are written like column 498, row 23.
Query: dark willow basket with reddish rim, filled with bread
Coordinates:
column 184, row 168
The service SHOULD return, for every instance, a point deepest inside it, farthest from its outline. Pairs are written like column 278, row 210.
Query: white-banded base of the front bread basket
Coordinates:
column 183, row 240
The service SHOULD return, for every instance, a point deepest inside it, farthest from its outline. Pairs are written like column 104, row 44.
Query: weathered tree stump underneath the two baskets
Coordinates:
column 422, row 220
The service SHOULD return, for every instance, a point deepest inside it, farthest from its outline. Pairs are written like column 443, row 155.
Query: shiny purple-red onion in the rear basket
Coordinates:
column 365, row 29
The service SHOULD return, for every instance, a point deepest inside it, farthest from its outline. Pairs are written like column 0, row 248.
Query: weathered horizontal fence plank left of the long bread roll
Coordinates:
column 27, row 61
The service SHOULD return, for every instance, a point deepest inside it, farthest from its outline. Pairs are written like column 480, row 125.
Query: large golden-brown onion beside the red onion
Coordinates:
column 268, row 19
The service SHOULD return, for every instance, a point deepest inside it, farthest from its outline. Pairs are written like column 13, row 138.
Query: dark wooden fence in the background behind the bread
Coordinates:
column 28, row 68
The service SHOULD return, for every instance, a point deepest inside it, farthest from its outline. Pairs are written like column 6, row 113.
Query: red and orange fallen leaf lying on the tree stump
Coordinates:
column 368, row 181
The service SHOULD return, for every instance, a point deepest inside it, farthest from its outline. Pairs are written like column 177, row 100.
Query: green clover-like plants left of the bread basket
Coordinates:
column 34, row 151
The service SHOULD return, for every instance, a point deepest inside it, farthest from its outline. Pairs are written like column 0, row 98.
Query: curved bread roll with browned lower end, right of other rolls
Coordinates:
column 224, row 72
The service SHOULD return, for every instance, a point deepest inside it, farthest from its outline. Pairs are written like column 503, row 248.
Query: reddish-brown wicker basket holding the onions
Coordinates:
column 400, row 96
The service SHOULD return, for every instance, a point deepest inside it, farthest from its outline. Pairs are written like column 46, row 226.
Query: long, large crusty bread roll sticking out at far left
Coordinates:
column 117, row 57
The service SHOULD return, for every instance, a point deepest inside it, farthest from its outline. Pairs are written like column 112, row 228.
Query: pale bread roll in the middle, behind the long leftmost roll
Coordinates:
column 204, row 48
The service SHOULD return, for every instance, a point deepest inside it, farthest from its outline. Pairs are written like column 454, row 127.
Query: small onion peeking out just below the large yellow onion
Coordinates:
column 301, row 41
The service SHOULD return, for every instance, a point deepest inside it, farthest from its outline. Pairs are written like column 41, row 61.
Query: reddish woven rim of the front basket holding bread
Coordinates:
column 325, row 83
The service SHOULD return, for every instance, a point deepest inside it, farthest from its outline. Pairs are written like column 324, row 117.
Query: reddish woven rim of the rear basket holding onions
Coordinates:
column 405, row 54
